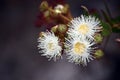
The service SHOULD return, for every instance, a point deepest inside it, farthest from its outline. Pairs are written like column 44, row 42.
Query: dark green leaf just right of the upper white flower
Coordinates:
column 106, row 29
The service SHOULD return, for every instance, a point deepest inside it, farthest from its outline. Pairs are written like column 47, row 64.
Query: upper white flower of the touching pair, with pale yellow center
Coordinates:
column 84, row 26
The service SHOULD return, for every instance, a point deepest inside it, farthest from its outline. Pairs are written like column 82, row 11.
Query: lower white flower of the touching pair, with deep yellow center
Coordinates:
column 79, row 50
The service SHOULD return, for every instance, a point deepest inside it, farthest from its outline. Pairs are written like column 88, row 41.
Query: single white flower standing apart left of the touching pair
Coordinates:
column 49, row 46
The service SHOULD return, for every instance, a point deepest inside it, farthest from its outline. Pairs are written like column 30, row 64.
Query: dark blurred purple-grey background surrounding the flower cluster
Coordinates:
column 19, row 57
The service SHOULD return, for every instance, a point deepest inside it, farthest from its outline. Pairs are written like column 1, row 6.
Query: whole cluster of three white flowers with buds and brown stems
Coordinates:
column 77, row 38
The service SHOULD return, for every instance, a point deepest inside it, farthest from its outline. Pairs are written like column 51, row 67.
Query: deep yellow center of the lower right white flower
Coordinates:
column 79, row 48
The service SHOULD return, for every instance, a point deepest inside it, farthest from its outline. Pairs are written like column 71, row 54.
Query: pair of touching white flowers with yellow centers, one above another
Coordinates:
column 81, row 33
